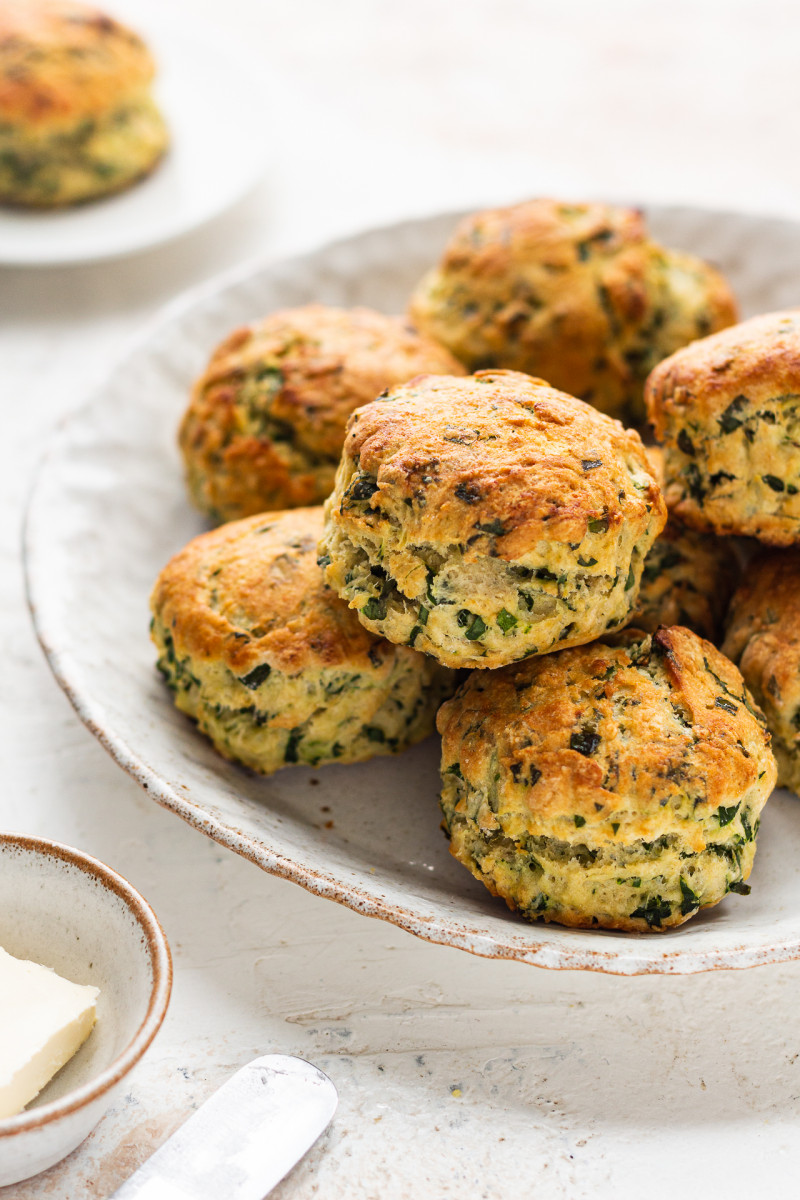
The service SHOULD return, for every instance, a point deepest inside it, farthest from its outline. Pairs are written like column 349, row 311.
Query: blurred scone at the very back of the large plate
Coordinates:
column 574, row 293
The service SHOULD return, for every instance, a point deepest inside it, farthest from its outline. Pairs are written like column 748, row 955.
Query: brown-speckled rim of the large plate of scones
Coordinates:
column 627, row 956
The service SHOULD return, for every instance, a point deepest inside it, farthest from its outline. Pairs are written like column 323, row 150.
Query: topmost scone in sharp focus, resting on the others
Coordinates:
column 488, row 519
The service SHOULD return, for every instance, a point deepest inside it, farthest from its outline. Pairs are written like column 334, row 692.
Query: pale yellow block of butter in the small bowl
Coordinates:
column 44, row 1022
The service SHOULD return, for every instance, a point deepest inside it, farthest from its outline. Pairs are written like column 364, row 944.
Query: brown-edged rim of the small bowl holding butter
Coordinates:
column 160, row 993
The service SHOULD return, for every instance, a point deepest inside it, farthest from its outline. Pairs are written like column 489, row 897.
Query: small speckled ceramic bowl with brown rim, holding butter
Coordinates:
column 70, row 913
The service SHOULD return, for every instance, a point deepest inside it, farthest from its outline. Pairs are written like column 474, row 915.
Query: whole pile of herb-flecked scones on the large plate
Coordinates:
column 507, row 563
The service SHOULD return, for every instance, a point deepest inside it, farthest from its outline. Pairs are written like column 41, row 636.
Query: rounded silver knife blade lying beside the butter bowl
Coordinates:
column 244, row 1139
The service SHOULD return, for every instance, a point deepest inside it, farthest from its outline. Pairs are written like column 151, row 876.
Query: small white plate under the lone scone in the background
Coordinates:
column 216, row 104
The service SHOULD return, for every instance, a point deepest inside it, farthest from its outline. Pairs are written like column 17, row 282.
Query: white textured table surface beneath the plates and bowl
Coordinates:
column 458, row 1077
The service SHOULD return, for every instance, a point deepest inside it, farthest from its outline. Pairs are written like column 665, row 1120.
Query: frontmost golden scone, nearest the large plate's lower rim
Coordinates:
column 619, row 784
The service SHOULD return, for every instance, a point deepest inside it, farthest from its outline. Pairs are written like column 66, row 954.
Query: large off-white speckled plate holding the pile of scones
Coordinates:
column 109, row 511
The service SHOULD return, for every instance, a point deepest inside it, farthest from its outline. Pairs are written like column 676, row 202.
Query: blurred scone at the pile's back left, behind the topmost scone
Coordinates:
column 266, row 424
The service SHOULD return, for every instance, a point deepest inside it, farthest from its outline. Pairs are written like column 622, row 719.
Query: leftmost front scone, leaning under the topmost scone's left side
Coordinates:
column 272, row 665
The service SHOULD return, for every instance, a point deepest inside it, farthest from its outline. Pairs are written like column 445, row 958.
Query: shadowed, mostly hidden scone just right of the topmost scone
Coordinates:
column 688, row 580
